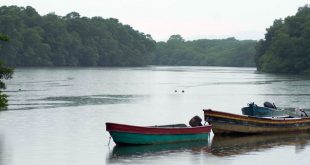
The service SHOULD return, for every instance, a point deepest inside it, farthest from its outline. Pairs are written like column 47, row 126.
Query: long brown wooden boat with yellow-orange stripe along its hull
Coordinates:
column 228, row 123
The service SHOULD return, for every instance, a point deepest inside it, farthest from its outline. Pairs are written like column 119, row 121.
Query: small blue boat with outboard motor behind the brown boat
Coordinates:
column 268, row 110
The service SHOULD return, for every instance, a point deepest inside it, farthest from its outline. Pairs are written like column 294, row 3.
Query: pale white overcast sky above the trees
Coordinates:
column 193, row 19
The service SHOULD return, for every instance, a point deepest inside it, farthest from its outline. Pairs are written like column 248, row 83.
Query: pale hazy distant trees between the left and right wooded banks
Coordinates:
column 224, row 52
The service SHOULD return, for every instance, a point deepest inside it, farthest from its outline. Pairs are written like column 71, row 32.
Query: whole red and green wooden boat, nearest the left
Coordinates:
column 134, row 135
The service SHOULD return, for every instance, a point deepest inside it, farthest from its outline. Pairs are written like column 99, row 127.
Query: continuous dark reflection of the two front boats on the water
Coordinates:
column 222, row 146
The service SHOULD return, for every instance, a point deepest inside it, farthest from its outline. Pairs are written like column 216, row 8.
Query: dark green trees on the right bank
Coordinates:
column 286, row 47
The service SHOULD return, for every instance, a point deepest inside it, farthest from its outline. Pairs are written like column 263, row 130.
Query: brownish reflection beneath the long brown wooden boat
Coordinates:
column 240, row 145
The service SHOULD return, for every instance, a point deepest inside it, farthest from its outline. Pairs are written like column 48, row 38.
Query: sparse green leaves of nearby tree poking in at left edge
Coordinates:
column 5, row 73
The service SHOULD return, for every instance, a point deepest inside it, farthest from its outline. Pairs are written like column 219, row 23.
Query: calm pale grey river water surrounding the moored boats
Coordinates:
column 57, row 116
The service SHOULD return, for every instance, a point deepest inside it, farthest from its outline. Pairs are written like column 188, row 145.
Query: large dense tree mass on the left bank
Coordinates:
column 72, row 40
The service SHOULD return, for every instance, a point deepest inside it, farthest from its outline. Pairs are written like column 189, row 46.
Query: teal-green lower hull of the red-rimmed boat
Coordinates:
column 135, row 138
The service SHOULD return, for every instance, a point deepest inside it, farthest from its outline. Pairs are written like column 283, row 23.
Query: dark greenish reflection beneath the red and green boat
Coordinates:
column 125, row 152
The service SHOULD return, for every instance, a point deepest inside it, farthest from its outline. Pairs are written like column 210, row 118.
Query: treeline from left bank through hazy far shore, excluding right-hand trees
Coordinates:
column 72, row 40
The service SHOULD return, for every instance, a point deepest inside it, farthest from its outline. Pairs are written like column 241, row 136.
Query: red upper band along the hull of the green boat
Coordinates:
column 156, row 130
